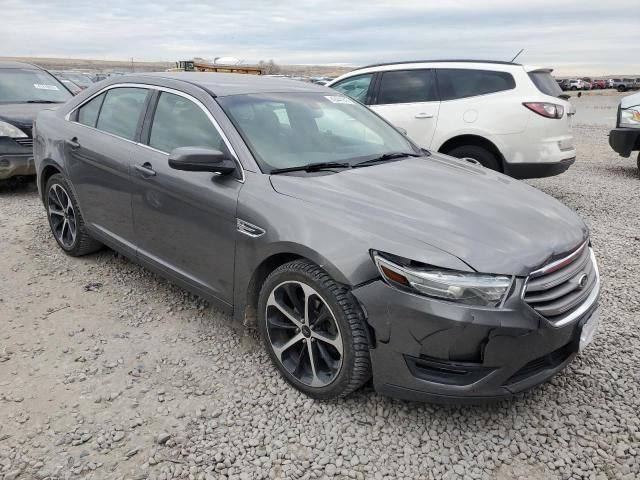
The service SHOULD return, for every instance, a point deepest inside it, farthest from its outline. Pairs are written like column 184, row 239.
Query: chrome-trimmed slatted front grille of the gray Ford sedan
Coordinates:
column 559, row 289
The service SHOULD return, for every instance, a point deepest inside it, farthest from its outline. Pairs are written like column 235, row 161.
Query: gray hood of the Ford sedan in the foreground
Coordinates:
column 493, row 223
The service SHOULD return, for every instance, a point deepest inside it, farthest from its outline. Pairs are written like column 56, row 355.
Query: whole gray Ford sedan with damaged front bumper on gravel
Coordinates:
column 355, row 252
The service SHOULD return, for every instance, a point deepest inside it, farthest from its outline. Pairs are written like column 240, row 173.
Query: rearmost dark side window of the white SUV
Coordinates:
column 456, row 83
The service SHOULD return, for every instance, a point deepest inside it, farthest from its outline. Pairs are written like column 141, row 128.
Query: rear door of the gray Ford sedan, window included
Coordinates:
column 102, row 140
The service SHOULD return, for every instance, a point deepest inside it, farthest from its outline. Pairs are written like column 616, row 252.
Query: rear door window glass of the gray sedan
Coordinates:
column 121, row 111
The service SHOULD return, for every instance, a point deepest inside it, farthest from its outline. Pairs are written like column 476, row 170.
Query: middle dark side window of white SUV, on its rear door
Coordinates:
column 407, row 86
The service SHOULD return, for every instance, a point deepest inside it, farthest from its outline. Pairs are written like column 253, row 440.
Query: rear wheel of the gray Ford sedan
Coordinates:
column 65, row 220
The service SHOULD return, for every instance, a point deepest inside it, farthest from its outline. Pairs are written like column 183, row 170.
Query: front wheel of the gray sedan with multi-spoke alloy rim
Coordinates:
column 314, row 331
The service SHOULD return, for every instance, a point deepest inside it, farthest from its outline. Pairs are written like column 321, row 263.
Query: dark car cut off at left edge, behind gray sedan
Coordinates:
column 25, row 90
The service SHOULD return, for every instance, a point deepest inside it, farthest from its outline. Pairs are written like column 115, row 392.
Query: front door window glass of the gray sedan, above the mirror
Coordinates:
column 178, row 122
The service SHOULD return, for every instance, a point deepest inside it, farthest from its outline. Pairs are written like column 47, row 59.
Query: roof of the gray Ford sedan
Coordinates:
column 224, row 84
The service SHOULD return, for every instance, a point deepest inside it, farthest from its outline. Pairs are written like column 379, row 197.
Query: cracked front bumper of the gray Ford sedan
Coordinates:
column 428, row 350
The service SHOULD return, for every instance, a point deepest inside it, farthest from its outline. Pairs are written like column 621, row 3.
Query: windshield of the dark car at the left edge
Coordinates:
column 18, row 85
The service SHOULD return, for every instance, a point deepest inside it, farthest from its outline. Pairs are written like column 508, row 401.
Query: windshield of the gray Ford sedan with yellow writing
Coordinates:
column 287, row 130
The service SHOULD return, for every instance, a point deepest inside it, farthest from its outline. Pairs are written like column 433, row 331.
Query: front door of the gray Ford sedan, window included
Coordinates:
column 185, row 222
